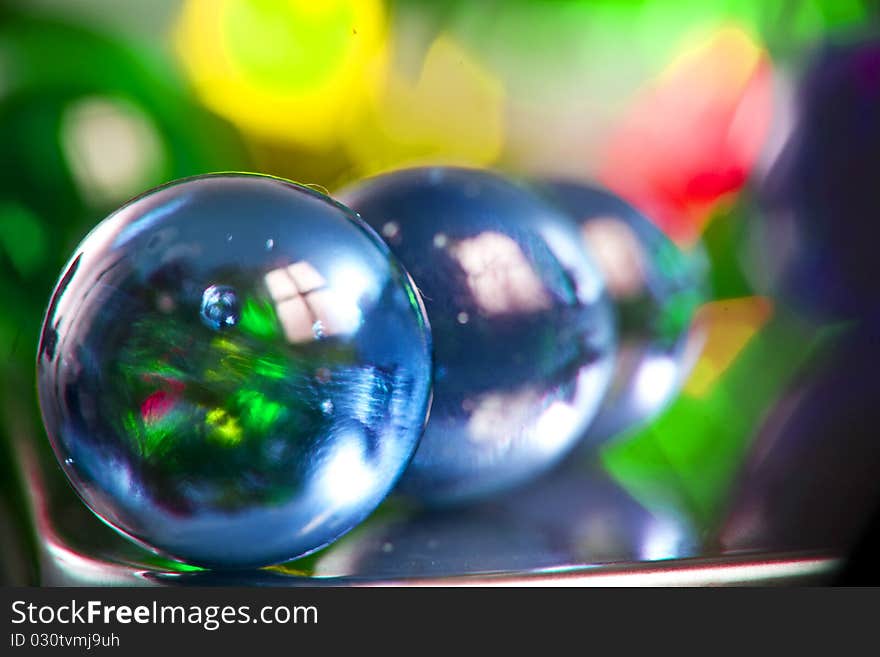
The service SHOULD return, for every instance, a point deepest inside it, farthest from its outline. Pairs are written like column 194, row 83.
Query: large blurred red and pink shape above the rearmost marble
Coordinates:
column 693, row 135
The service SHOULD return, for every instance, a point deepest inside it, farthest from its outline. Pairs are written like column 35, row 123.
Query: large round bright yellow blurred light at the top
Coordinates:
column 295, row 71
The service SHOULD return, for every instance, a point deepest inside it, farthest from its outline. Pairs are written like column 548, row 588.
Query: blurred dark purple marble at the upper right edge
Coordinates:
column 813, row 236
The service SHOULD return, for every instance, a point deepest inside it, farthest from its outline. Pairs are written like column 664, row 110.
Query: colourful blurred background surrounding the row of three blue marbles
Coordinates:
column 750, row 127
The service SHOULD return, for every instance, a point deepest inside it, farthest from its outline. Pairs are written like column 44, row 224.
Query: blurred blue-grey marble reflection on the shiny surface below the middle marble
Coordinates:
column 572, row 516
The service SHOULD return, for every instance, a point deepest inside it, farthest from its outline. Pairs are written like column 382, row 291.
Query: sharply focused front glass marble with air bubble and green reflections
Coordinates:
column 233, row 370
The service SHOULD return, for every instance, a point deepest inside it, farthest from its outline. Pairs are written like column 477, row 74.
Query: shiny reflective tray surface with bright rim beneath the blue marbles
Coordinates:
column 572, row 527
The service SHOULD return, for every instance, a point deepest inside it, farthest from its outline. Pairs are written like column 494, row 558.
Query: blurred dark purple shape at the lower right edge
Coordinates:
column 812, row 479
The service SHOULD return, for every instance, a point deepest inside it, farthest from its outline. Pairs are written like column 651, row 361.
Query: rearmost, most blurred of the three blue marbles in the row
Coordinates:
column 655, row 287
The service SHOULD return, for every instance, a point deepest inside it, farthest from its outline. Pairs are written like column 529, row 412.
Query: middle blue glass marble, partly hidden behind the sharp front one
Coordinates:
column 523, row 331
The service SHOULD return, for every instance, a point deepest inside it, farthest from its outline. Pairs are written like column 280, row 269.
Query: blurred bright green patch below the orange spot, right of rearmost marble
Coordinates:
column 687, row 460
